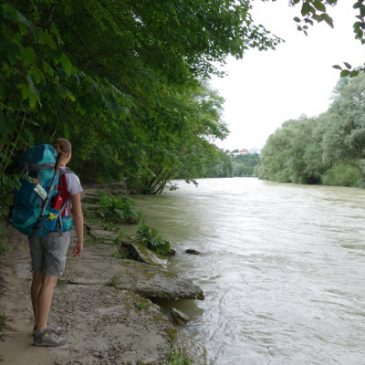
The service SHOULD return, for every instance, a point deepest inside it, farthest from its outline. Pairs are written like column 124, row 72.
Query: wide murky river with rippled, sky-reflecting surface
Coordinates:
column 282, row 267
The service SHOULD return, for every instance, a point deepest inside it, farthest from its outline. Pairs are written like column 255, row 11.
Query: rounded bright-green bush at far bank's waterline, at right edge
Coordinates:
column 343, row 174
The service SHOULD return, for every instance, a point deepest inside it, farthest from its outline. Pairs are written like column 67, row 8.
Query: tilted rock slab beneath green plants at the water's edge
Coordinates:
column 137, row 251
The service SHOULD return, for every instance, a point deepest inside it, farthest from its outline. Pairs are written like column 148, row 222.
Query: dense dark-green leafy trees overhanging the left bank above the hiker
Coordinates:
column 124, row 80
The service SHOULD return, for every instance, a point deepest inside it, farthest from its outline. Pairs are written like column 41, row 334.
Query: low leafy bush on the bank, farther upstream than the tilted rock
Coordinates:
column 117, row 209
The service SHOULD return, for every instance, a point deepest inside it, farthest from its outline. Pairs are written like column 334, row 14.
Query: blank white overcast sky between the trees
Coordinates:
column 265, row 89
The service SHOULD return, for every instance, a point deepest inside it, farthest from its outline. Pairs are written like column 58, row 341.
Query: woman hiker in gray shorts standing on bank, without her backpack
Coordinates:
column 48, row 253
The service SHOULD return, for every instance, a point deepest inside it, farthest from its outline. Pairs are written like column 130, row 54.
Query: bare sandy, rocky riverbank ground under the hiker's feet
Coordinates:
column 105, row 303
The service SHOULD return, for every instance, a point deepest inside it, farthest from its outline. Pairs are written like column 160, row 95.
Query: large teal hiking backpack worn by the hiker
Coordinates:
column 34, row 212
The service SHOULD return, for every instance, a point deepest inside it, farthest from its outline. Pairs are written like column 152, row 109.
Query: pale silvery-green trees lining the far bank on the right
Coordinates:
column 328, row 149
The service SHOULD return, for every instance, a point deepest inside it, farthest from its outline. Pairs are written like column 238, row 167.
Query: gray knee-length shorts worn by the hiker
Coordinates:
column 49, row 253
